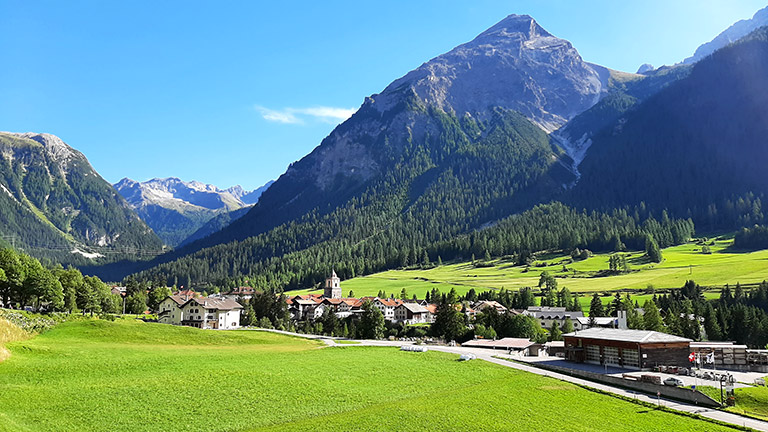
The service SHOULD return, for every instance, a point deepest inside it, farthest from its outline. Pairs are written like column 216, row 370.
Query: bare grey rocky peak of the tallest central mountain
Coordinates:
column 515, row 64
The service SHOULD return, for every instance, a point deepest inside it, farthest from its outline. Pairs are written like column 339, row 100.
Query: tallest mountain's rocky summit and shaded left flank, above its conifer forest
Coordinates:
column 515, row 65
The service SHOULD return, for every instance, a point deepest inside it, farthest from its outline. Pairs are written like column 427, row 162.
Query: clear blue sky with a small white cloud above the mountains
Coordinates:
column 232, row 92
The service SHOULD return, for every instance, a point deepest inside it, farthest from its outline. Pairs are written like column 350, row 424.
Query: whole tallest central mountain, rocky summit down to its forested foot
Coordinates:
column 425, row 160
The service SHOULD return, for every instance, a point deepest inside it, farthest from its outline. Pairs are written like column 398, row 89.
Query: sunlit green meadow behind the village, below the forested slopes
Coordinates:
column 681, row 263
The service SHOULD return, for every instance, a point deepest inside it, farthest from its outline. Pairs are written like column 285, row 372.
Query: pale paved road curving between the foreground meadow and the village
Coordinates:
column 490, row 356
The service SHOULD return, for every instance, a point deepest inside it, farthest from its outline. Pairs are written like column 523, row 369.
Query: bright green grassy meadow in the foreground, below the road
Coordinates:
column 126, row 375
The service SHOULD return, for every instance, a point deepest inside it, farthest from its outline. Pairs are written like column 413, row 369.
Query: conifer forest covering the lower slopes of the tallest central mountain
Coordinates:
column 465, row 175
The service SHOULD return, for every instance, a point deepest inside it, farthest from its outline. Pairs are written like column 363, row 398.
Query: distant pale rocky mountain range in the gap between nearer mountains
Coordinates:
column 176, row 209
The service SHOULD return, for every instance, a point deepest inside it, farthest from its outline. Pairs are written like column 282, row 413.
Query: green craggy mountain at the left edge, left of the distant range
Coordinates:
column 54, row 203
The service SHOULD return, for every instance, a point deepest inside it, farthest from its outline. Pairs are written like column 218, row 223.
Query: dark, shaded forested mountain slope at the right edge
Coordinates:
column 697, row 148
